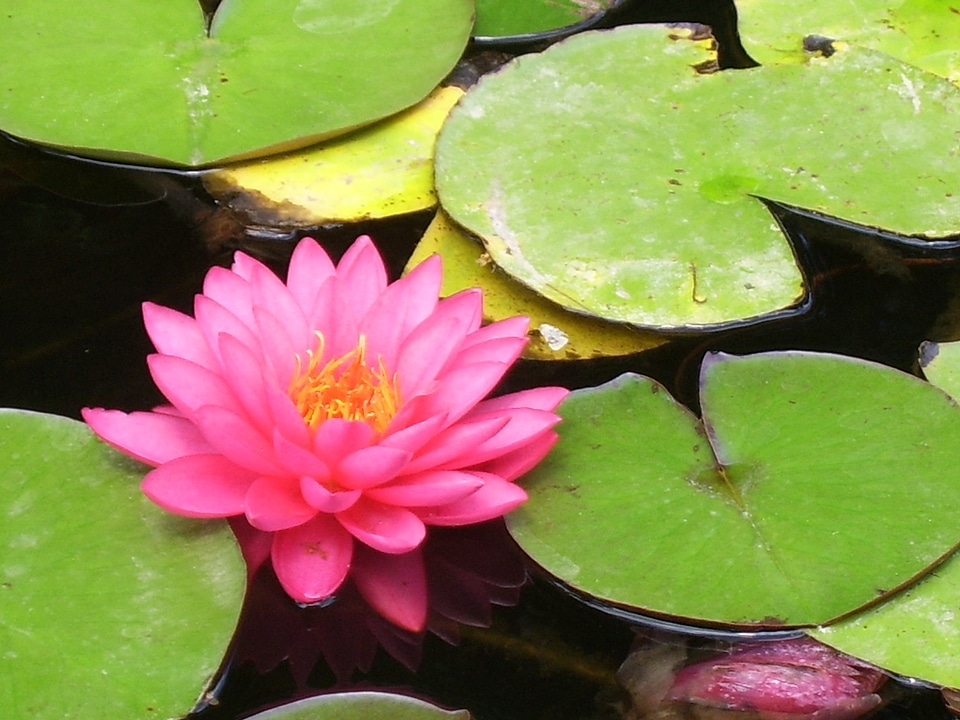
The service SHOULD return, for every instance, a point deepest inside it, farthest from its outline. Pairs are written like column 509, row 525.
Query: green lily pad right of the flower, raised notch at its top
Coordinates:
column 814, row 484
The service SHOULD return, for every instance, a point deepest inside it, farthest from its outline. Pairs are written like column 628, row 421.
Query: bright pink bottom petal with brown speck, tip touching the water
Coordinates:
column 312, row 560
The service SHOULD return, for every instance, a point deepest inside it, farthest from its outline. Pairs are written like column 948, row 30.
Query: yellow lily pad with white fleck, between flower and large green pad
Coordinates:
column 555, row 332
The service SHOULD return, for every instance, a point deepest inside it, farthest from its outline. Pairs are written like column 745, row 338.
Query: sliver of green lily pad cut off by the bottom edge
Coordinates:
column 361, row 706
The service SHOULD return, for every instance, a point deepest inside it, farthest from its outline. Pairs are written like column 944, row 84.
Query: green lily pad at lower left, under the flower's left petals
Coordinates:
column 109, row 606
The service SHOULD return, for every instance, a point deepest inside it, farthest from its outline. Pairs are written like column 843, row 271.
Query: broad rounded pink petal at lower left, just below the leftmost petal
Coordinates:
column 199, row 486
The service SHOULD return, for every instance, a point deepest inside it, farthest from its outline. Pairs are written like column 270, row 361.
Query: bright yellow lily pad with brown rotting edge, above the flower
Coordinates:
column 382, row 170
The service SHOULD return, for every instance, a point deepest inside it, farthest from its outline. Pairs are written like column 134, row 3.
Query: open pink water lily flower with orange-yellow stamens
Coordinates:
column 335, row 409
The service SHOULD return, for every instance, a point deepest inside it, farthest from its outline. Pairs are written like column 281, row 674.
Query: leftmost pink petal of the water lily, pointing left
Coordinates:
column 151, row 438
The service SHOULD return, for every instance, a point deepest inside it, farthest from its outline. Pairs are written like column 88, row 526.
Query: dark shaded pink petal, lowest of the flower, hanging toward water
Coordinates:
column 395, row 586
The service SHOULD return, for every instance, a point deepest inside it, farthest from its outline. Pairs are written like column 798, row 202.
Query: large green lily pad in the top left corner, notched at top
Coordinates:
column 145, row 82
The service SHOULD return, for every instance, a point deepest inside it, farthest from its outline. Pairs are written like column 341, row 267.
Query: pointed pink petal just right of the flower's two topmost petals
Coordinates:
column 400, row 308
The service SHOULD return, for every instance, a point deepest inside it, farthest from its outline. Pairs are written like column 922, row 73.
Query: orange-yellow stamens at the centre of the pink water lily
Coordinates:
column 345, row 387
